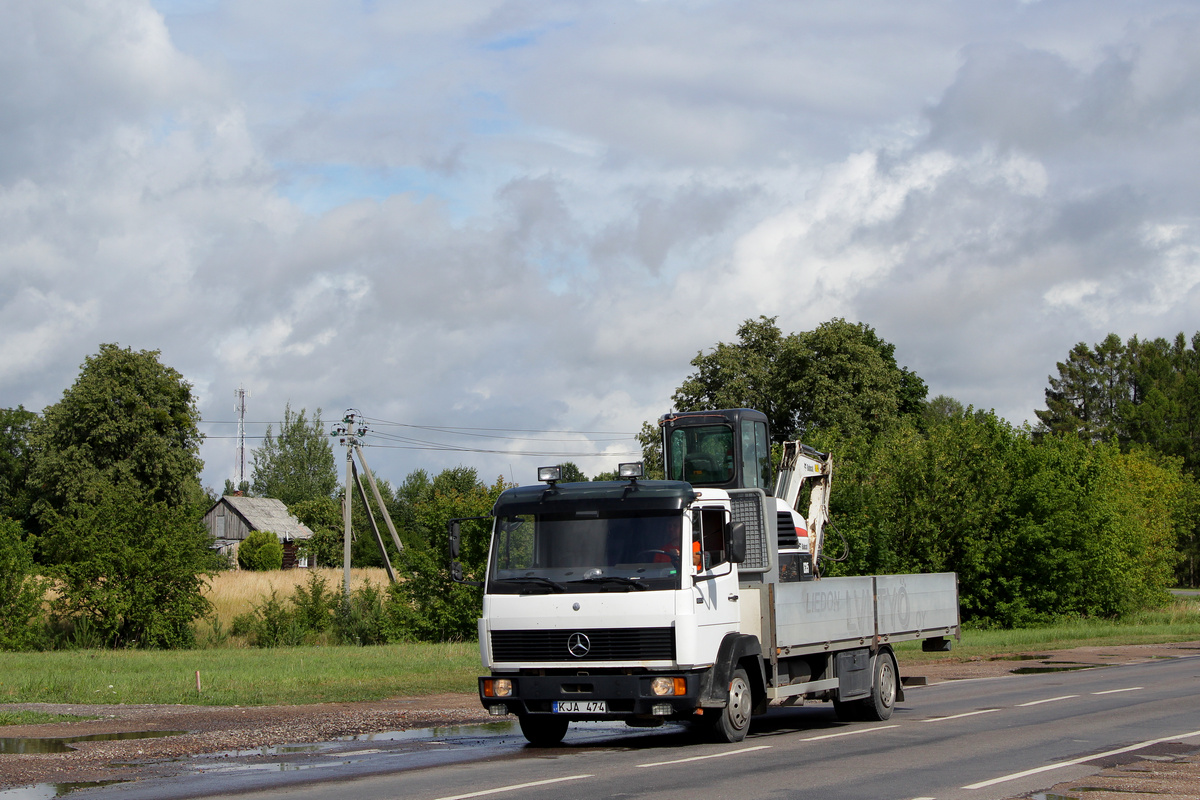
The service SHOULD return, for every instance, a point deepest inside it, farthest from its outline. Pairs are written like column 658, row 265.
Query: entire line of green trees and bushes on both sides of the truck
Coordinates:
column 1095, row 510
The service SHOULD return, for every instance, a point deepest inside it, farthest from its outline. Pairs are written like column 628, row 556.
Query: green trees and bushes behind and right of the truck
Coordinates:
column 1094, row 512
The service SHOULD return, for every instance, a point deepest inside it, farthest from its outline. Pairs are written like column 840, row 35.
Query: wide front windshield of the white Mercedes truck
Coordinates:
column 586, row 551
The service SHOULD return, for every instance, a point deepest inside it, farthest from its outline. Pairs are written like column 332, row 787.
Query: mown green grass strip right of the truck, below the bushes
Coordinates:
column 1179, row 622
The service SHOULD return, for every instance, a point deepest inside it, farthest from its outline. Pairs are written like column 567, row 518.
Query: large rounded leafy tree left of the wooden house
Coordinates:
column 116, row 474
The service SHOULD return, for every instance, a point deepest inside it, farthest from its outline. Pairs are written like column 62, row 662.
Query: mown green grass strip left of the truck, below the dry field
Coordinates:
column 239, row 677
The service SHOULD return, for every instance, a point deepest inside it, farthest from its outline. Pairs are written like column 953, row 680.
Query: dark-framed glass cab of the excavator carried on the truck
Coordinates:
column 727, row 449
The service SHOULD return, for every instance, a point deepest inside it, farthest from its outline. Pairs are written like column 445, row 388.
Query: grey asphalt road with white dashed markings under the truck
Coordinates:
column 980, row 741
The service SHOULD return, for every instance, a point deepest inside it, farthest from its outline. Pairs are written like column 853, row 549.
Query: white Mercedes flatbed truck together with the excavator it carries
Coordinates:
column 695, row 599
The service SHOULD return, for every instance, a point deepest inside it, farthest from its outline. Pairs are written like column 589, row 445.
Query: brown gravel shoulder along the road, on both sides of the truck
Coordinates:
column 211, row 730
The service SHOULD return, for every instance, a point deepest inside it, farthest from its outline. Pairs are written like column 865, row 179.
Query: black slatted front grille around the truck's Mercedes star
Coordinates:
column 603, row 645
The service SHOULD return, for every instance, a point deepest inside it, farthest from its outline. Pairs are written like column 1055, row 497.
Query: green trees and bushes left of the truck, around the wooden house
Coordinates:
column 101, row 503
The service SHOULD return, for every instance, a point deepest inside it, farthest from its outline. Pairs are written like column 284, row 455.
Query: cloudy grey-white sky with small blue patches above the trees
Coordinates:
column 502, row 230
